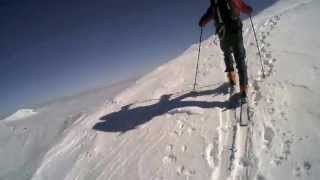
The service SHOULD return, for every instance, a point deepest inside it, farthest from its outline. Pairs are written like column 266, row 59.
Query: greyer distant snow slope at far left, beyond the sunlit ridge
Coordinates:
column 24, row 143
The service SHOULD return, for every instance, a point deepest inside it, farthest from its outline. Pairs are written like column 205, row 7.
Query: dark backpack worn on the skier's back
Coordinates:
column 226, row 20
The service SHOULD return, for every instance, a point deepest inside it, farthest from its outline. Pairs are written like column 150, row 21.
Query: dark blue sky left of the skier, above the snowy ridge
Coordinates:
column 50, row 49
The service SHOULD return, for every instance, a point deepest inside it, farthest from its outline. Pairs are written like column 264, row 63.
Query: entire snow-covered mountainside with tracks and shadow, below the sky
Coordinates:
column 158, row 130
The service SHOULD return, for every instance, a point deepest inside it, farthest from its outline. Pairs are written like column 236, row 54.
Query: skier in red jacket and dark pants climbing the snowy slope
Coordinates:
column 226, row 16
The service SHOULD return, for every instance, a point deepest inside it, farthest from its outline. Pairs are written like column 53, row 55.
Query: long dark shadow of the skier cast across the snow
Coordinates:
column 130, row 118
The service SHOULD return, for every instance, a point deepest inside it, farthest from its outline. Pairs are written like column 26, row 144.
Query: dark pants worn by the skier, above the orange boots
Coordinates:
column 233, row 43
